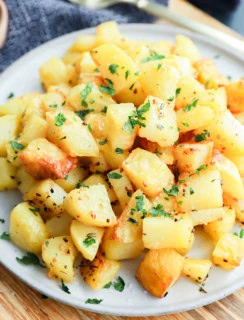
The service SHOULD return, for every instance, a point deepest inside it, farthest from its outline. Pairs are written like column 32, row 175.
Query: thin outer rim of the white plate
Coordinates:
column 100, row 308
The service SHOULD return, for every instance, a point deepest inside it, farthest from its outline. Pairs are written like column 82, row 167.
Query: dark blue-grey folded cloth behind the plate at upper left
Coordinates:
column 33, row 22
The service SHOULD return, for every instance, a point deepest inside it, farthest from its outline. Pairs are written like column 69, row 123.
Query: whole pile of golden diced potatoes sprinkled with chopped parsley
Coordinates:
column 132, row 147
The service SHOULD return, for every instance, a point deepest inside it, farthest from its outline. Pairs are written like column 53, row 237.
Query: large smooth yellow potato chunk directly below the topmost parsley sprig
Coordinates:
column 163, row 80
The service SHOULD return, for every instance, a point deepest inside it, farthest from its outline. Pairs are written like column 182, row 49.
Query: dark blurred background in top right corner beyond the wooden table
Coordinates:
column 230, row 12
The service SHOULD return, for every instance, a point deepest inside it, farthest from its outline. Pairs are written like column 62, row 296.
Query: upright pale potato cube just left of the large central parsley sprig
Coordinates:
column 117, row 117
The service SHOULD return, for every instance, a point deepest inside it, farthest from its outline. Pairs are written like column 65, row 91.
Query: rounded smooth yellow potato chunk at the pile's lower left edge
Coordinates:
column 27, row 229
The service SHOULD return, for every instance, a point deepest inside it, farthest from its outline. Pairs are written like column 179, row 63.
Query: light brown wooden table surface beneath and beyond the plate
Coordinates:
column 20, row 302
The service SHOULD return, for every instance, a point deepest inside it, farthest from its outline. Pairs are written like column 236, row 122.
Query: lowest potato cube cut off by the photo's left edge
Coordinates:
column 7, row 174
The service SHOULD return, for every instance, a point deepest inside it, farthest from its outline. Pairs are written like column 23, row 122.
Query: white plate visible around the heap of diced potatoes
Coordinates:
column 22, row 77
